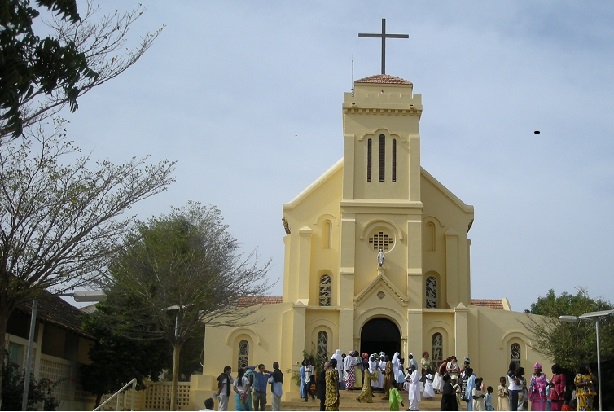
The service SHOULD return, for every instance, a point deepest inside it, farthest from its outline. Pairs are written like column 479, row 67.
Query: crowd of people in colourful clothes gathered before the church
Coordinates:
column 460, row 387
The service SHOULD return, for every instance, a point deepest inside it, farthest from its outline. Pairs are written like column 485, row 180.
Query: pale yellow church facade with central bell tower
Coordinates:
column 377, row 258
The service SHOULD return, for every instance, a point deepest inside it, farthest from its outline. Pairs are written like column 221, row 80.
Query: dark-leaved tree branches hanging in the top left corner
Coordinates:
column 39, row 76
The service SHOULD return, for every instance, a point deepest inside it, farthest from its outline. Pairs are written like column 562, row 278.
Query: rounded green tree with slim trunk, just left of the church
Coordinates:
column 185, row 270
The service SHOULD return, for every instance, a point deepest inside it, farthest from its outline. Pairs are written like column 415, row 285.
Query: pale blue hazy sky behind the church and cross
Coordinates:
column 247, row 95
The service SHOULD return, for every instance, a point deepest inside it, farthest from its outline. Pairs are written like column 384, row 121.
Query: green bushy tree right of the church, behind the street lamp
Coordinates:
column 570, row 344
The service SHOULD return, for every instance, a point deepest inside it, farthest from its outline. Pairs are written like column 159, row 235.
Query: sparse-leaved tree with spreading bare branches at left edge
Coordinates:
column 59, row 218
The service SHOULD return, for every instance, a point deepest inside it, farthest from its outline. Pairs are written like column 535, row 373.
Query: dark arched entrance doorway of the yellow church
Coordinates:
column 380, row 335
